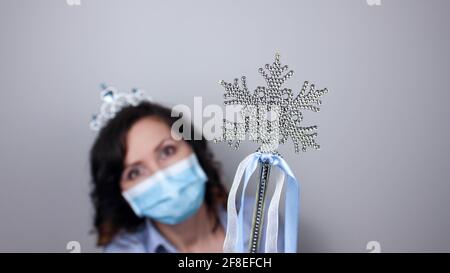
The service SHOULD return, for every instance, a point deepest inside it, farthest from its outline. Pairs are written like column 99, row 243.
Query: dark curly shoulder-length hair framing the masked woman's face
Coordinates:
column 112, row 212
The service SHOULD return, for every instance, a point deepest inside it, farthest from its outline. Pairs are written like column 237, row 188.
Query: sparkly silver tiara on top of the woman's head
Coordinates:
column 113, row 102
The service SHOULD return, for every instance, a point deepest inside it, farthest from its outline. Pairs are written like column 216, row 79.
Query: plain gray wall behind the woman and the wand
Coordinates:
column 383, row 171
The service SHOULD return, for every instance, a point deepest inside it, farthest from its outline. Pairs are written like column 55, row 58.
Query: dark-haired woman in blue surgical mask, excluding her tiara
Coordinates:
column 153, row 193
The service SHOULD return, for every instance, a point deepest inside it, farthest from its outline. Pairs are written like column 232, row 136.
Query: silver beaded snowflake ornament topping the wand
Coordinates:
column 271, row 114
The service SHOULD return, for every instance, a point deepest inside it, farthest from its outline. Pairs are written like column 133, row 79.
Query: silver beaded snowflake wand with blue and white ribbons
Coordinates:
column 271, row 115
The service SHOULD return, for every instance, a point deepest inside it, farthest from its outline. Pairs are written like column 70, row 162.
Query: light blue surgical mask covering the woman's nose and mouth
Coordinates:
column 171, row 195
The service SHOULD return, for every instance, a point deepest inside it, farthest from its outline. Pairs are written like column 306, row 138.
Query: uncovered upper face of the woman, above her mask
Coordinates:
column 150, row 147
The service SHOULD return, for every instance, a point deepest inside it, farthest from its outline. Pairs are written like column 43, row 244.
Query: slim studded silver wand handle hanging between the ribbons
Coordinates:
column 258, row 211
